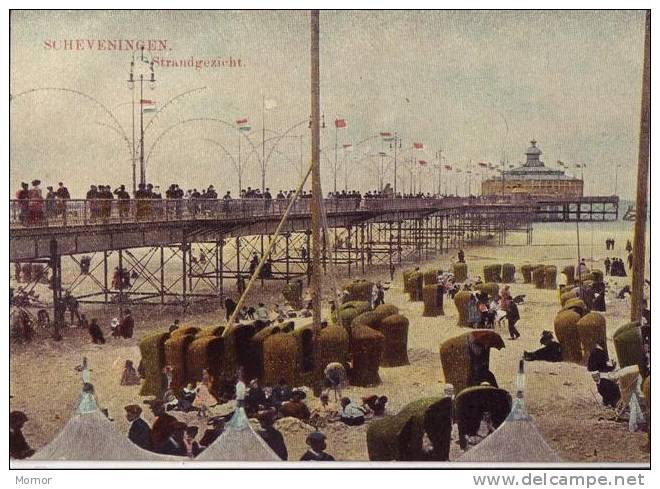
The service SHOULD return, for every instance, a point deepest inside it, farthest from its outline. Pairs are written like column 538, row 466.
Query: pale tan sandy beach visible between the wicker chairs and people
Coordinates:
column 561, row 397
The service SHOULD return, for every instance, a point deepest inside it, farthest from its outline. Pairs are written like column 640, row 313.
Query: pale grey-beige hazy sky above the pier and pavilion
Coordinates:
column 478, row 85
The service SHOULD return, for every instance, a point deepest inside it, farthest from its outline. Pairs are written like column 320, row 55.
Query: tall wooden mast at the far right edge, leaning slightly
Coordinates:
column 639, row 246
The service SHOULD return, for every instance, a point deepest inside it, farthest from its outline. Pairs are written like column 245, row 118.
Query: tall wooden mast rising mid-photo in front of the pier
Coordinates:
column 315, row 285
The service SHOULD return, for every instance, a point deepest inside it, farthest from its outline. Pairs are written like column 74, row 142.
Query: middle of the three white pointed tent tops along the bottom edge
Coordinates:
column 238, row 443
